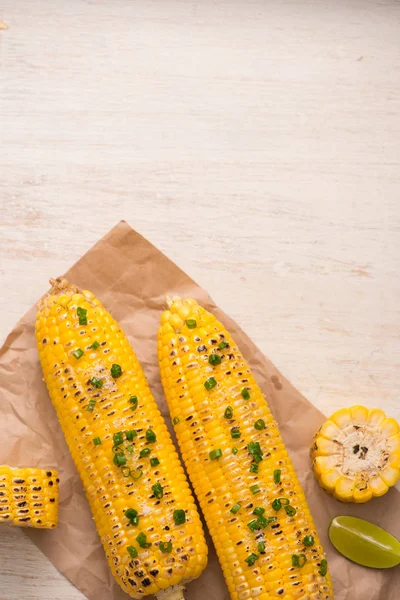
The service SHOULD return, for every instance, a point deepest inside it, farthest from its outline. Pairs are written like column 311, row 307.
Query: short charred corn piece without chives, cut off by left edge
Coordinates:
column 29, row 497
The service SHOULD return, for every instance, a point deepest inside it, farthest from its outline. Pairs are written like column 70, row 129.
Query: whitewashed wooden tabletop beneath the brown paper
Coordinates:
column 256, row 143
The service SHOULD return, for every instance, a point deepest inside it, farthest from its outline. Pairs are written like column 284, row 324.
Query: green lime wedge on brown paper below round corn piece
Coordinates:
column 364, row 543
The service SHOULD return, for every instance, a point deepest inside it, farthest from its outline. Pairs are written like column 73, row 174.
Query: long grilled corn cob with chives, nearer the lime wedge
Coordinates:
column 242, row 475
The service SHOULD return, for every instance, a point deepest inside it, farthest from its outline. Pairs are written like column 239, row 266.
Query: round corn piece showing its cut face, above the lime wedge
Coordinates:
column 356, row 454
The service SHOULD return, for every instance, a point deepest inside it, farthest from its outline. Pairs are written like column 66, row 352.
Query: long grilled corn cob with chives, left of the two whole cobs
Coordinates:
column 140, row 499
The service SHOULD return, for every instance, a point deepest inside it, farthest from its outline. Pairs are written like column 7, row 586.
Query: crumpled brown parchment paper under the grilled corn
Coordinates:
column 132, row 278
